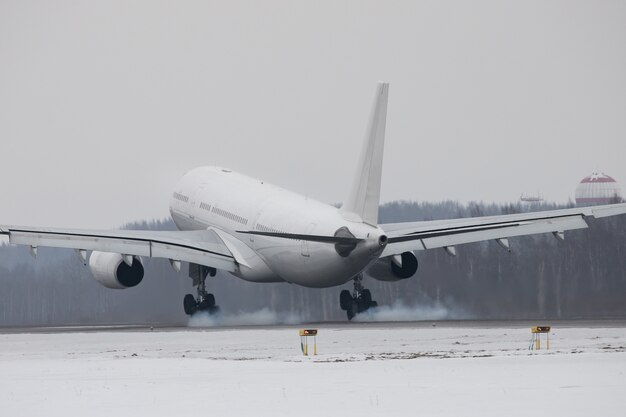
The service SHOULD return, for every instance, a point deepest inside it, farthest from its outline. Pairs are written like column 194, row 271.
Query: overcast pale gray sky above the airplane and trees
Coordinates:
column 105, row 104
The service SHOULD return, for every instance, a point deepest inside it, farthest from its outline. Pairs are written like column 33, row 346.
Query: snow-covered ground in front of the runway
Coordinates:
column 360, row 370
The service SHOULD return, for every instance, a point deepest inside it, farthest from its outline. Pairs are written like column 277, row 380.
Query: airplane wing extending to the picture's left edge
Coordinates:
column 203, row 247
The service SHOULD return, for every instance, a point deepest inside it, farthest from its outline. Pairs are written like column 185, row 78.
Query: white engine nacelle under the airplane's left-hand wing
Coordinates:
column 110, row 270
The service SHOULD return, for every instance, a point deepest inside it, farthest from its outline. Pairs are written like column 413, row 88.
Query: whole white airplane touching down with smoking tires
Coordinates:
column 262, row 233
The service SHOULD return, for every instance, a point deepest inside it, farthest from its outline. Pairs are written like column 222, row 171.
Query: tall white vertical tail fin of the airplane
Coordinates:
column 364, row 195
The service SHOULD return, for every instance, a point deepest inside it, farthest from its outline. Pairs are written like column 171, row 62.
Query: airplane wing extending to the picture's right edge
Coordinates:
column 448, row 233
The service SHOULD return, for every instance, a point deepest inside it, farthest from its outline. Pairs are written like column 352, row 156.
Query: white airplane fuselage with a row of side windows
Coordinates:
column 212, row 197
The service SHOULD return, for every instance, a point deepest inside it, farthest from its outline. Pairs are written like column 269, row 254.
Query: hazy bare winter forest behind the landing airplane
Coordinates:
column 584, row 276
